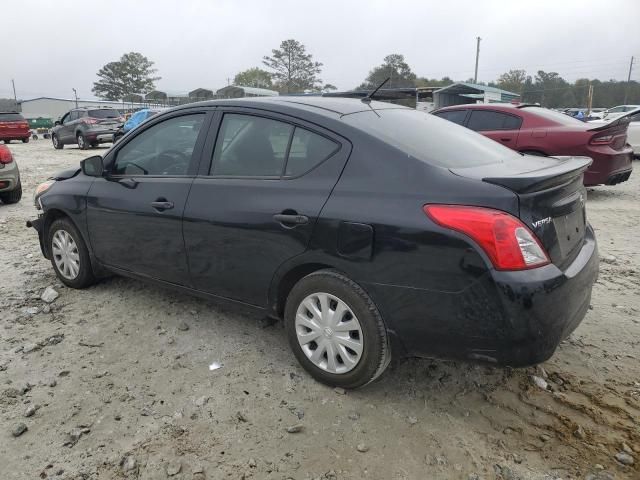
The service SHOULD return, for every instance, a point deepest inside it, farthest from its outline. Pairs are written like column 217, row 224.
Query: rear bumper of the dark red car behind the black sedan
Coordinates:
column 609, row 166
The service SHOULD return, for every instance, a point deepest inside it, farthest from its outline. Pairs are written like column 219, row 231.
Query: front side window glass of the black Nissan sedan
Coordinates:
column 164, row 149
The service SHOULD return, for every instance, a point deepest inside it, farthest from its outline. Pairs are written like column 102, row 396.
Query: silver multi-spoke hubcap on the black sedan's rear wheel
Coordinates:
column 329, row 333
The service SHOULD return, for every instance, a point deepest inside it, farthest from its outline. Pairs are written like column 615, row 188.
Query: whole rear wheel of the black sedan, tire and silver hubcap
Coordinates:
column 335, row 330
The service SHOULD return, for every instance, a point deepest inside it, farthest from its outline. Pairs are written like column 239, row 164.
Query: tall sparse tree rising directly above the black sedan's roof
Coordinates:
column 293, row 68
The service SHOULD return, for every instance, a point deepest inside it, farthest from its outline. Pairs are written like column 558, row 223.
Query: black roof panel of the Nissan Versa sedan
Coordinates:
column 328, row 106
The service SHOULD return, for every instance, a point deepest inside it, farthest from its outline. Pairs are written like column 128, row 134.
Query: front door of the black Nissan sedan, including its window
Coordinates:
column 134, row 213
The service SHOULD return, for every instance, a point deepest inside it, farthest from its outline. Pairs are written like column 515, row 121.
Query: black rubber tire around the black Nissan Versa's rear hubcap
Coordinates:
column 376, row 352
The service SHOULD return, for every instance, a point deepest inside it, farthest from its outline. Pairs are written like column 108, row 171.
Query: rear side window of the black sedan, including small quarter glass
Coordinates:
column 251, row 146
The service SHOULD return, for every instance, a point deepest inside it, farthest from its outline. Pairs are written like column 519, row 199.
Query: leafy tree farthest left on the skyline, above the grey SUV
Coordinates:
column 133, row 73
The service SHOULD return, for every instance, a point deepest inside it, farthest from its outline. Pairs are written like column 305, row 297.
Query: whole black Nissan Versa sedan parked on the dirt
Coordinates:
column 372, row 230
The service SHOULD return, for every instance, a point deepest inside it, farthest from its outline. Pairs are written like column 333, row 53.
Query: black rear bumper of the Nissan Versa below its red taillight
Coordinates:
column 509, row 318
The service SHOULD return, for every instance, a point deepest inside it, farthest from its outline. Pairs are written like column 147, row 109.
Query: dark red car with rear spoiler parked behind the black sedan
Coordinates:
column 535, row 130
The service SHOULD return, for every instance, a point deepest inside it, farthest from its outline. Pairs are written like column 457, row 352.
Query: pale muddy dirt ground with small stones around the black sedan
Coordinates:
column 115, row 382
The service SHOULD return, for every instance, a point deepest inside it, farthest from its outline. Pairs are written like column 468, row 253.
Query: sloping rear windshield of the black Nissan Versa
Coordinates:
column 431, row 139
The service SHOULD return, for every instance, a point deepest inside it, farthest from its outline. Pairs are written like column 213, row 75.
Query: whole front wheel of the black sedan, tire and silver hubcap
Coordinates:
column 69, row 254
